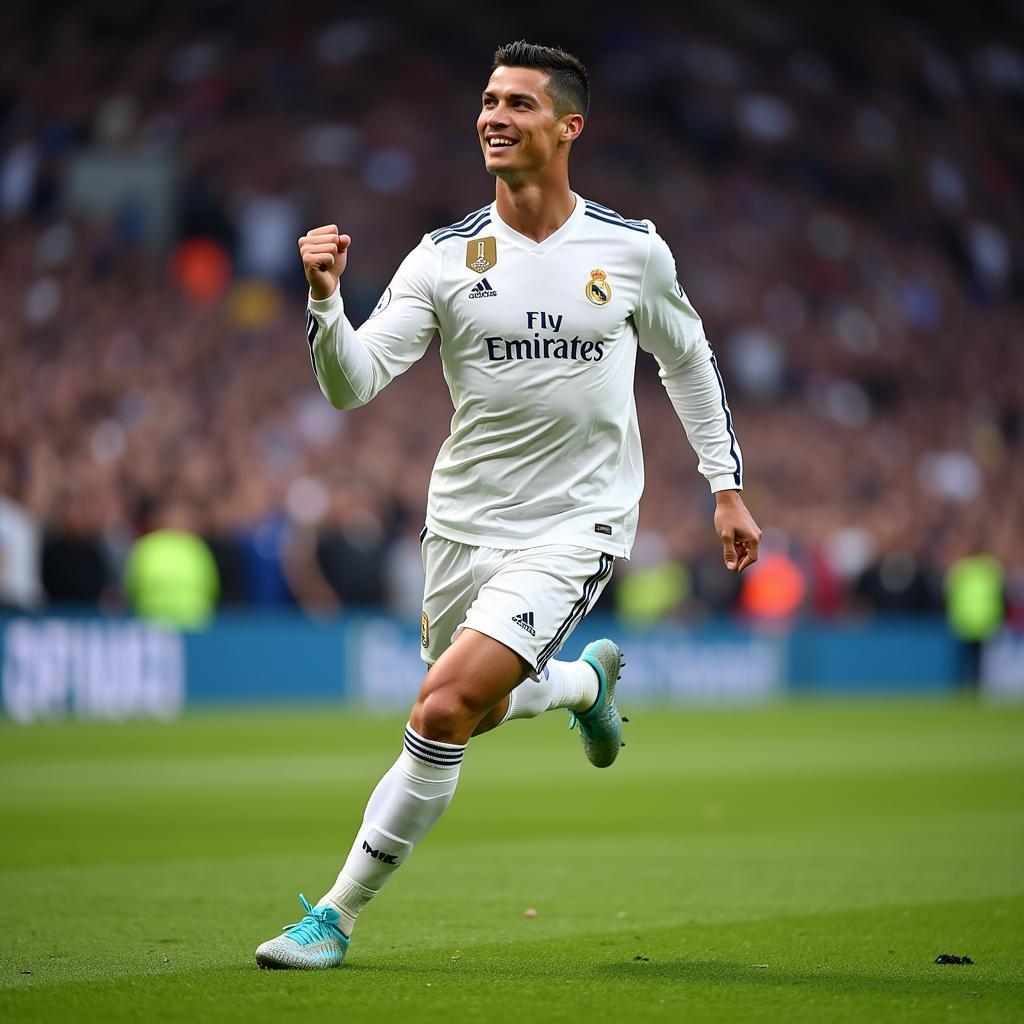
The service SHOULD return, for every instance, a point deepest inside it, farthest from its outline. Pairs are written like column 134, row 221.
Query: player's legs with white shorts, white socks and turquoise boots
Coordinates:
column 465, row 693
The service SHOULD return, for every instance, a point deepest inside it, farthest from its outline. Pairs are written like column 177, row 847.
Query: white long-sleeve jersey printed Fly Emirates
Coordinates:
column 538, row 342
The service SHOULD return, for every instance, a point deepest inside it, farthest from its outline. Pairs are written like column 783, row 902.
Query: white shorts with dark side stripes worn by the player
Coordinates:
column 529, row 600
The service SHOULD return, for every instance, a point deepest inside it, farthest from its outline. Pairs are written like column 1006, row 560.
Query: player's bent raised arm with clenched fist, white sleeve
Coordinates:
column 354, row 366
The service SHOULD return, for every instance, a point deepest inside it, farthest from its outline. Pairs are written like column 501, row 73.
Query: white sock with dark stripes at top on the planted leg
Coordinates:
column 411, row 797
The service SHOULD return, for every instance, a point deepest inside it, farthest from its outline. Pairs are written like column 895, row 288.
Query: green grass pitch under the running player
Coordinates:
column 802, row 863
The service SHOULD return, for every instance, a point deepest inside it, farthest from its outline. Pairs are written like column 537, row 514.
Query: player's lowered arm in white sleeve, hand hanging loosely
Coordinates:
column 670, row 329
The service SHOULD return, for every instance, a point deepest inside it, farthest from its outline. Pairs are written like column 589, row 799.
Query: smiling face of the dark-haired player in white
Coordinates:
column 519, row 129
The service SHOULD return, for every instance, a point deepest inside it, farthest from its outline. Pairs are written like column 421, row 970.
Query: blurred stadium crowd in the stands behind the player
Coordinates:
column 841, row 190
